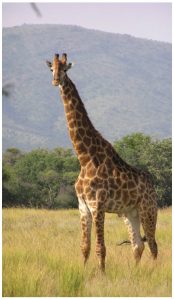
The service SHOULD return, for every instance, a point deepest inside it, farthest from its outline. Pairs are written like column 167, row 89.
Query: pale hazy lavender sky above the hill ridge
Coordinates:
column 146, row 20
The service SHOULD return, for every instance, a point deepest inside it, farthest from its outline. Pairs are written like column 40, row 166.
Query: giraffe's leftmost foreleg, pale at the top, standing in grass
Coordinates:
column 86, row 224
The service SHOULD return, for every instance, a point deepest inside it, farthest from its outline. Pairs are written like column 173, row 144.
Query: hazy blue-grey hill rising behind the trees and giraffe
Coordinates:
column 125, row 83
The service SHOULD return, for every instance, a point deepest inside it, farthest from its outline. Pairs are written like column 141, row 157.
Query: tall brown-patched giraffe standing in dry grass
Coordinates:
column 106, row 183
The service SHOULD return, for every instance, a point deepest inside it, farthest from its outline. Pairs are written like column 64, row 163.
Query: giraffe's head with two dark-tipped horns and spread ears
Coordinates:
column 59, row 67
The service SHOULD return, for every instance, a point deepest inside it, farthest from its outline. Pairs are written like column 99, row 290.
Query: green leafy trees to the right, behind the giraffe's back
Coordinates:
column 153, row 156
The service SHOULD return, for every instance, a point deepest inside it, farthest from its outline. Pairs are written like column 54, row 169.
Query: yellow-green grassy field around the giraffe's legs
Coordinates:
column 42, row 257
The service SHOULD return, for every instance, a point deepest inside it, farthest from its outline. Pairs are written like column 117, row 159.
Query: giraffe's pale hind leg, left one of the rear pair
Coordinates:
column 133, row 223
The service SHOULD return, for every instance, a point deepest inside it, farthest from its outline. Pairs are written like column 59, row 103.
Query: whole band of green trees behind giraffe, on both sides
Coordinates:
column 43, row 178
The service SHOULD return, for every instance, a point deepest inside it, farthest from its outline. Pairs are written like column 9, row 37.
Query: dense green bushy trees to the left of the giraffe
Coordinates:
column 40, row 178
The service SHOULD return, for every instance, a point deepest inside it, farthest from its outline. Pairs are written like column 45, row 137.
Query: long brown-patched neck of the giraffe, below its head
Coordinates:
column 81, row 130
